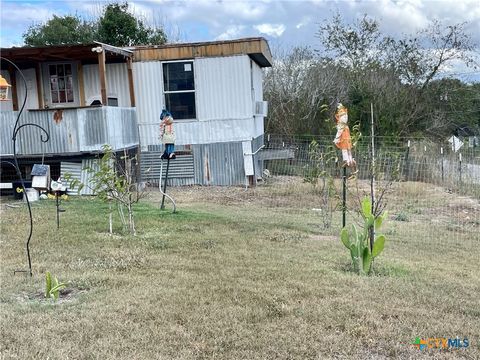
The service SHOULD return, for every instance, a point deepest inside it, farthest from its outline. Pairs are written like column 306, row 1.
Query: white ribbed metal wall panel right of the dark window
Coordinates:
column 223, row 88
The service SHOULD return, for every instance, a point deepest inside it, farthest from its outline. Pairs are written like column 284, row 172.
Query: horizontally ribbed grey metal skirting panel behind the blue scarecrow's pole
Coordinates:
column 181, row 171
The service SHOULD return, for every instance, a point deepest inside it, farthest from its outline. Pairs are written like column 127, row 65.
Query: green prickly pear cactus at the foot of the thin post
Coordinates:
column 358, row 241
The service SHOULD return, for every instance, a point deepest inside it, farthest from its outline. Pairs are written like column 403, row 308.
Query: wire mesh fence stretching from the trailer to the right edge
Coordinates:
column 428, row 189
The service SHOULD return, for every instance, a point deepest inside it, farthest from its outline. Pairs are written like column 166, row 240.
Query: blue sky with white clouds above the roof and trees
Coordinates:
column 283, row 23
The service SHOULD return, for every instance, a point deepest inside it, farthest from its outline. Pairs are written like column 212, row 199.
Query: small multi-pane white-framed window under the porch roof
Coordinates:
column 61, row 83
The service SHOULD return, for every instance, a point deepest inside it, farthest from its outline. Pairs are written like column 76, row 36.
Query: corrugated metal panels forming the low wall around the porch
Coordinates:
column 79, row 130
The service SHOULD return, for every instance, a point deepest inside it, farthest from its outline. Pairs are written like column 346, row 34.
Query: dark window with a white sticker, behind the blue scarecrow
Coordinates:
column 179, row 89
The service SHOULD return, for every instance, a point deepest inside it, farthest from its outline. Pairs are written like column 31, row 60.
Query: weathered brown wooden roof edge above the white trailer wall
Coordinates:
column 256, row 48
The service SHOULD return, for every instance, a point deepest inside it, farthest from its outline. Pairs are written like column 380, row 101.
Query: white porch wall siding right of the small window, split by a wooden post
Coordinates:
column 117, row 83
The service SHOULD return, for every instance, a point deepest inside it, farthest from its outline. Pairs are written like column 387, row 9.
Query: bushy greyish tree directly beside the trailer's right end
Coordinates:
column 298, row 87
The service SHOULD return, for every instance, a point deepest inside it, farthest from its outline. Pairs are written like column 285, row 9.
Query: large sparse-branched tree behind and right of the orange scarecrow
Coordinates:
column 395, row 74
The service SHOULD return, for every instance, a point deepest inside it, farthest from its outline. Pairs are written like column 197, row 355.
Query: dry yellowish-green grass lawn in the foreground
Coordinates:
column 241, row 275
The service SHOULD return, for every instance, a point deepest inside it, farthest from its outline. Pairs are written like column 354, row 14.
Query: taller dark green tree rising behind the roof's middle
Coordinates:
column 119, row 28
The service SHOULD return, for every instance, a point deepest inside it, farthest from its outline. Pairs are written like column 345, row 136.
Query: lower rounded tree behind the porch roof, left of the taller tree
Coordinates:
column 70, row 29
